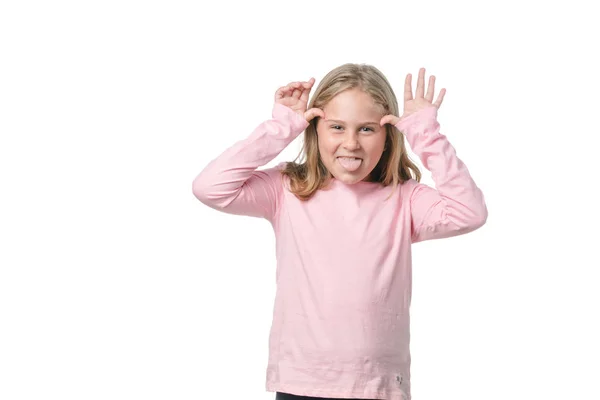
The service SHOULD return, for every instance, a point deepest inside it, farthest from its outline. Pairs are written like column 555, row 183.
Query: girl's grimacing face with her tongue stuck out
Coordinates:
column 351, row 141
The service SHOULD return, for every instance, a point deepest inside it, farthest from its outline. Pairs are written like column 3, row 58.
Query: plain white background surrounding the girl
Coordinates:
column 116, row 283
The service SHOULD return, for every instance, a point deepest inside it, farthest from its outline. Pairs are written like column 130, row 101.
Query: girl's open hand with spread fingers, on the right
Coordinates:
column 420, row 101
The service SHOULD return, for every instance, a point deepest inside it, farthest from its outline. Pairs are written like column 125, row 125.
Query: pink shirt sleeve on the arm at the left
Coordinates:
column 231, row 182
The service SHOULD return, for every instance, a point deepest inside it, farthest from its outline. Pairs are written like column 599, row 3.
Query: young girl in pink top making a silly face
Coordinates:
column 344, row 221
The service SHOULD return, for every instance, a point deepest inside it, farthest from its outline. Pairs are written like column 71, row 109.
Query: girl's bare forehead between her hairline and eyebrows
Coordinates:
column 352, row 105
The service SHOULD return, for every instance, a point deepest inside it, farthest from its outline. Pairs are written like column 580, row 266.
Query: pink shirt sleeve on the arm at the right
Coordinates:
column 458, row 205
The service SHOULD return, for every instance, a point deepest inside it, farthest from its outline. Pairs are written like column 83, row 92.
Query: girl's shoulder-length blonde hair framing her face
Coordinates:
column 393, row 168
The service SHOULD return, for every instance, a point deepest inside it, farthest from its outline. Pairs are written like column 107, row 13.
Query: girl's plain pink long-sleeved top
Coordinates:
column 341, row 316
